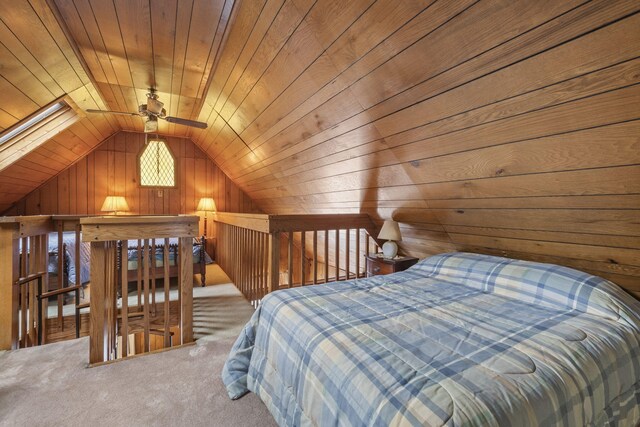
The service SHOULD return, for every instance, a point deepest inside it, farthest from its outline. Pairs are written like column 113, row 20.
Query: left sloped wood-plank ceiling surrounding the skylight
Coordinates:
column 39, row 65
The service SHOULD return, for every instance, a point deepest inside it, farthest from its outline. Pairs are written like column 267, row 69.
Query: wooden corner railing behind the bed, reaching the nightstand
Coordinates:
column 262, row 253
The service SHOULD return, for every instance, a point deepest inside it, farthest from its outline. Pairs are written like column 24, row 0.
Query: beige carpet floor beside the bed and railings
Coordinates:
column 51, row 386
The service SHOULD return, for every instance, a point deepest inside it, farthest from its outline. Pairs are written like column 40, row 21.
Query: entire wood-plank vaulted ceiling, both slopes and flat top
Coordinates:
column 507, row 127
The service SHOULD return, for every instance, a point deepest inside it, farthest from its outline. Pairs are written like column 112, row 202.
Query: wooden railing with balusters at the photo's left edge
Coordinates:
column 24, row 262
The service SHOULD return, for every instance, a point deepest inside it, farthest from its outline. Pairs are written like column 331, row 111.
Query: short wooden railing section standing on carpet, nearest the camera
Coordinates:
column 111, row 326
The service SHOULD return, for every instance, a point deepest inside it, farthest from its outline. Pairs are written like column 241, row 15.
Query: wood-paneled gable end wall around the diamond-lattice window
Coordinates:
column 111, row 169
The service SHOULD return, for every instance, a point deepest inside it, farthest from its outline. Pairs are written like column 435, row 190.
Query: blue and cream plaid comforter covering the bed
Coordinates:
column 458, row 339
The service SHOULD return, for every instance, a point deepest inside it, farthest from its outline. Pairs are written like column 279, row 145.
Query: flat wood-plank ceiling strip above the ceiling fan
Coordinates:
column 130, row 46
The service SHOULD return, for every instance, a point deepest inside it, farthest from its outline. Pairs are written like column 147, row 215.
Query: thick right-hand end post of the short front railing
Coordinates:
column 186, row 289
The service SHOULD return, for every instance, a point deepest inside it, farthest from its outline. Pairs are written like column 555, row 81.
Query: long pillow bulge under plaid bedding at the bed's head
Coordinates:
column 535, row 283
